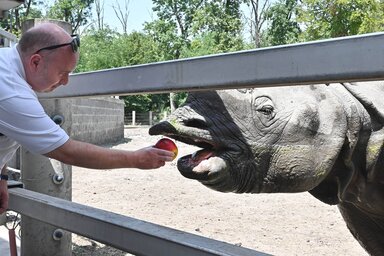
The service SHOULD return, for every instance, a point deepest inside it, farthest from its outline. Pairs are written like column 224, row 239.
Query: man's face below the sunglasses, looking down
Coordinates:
column 53, row 69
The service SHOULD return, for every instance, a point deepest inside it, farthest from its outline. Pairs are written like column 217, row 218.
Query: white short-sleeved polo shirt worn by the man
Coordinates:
column 23, row 120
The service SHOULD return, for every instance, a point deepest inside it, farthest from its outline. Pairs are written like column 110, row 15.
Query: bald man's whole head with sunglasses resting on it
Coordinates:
column 49, row 54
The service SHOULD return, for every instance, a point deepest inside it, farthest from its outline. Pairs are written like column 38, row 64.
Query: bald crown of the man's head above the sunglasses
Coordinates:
column 42, row 35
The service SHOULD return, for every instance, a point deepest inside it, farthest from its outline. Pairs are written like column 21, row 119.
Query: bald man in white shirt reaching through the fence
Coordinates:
column 41, row 62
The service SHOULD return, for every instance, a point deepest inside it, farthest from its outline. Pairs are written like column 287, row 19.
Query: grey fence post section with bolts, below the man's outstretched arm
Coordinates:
column 50, row 177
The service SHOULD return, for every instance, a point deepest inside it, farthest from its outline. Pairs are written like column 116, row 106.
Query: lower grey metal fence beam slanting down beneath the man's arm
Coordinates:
column 122, row 232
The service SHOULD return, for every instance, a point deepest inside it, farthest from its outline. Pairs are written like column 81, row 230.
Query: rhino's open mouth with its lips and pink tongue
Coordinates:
column 200, row 165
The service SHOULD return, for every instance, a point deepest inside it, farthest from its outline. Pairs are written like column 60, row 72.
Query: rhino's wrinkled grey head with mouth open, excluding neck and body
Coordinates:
column 259, row 140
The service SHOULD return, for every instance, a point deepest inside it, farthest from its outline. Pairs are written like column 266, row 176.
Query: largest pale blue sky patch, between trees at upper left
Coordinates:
column 139, row 12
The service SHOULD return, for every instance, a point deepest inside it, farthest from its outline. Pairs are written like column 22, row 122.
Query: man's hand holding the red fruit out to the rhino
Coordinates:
column 151, row 158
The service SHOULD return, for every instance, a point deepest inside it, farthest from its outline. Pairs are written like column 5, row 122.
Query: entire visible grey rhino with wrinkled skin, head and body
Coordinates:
column 325, row 139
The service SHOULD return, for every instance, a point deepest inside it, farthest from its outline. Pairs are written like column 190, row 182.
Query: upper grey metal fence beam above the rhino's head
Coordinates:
column 347, row 59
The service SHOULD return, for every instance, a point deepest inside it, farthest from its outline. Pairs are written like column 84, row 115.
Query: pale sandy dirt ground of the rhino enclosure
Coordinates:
column 278, row 224
